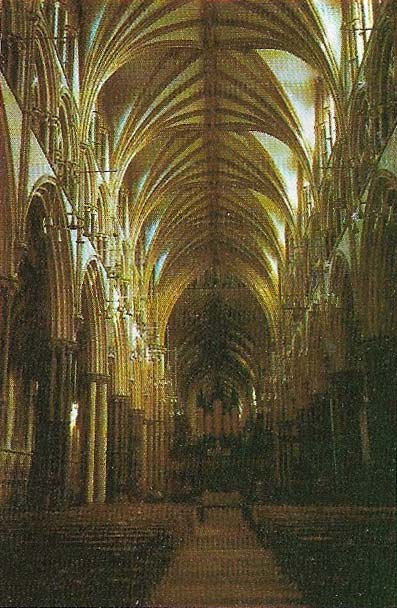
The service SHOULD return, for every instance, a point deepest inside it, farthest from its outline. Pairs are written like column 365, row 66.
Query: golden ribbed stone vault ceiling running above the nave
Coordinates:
column 206, row 138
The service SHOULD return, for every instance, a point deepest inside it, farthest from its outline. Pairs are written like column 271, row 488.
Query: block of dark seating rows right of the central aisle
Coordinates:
column 339, row 556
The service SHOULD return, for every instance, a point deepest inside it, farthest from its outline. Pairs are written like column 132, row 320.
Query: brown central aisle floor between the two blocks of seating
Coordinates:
column 223, row 565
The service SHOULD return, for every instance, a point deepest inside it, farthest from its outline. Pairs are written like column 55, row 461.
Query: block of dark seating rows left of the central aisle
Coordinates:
column 92, row 556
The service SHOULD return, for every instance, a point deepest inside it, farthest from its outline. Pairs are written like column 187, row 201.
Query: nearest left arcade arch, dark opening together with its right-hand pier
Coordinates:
column 39, row 366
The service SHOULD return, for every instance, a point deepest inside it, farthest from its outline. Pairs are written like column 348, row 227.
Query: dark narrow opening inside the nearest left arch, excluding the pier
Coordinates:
column 29, row 369
